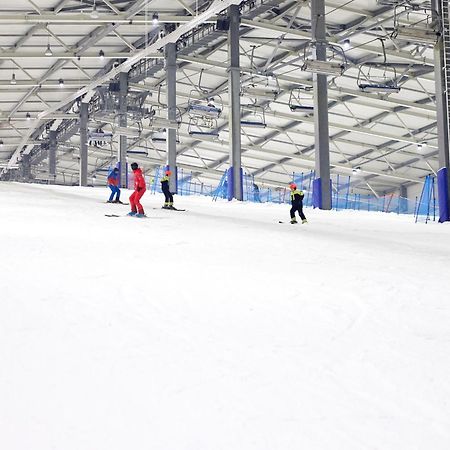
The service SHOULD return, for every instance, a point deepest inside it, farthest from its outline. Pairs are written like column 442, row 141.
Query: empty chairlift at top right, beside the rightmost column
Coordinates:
column 424, row 30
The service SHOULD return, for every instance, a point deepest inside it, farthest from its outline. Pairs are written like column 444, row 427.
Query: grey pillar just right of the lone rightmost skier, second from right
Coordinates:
column 320, row 86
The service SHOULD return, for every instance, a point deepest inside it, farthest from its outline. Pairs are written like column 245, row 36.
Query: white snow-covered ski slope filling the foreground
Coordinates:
column 219, row 328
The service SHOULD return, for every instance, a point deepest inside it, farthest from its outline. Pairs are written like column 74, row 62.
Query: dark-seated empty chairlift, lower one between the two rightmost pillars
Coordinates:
column 374, row 76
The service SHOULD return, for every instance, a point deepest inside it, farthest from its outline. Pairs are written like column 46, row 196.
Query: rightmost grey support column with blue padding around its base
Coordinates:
column 442, row 83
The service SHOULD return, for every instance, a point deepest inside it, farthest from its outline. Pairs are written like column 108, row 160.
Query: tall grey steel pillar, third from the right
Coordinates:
column 234, row 75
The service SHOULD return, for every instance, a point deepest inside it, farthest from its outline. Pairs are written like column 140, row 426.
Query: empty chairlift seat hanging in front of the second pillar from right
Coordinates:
column 335, row 65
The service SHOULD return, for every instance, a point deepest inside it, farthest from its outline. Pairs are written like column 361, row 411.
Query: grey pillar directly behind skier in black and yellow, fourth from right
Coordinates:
column 171, row 74
